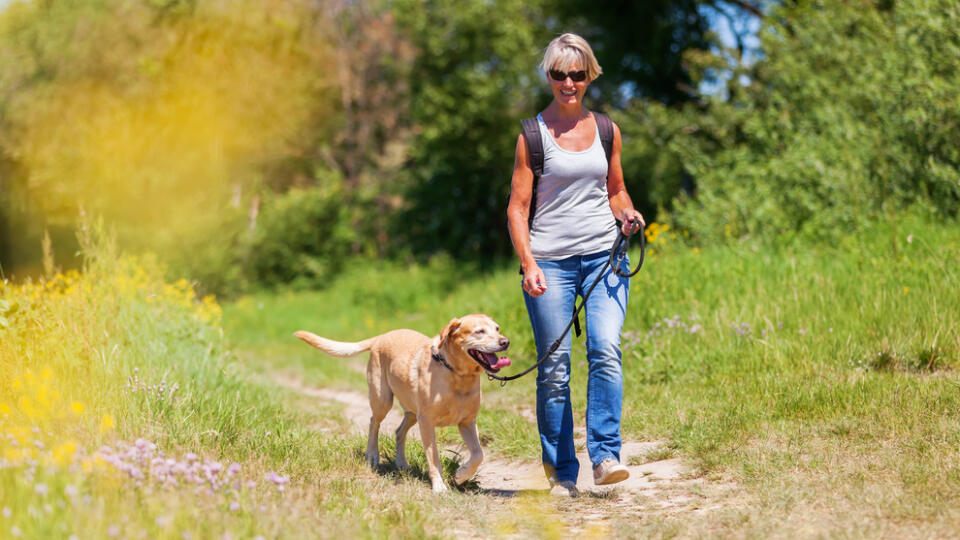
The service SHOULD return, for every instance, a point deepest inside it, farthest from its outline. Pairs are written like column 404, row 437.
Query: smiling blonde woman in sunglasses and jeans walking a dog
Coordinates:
column 578, row 197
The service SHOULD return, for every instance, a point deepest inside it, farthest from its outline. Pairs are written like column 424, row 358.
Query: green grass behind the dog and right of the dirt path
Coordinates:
column 809, row 373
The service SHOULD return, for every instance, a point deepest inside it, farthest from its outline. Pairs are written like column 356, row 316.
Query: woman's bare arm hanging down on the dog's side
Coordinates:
column 518, row 212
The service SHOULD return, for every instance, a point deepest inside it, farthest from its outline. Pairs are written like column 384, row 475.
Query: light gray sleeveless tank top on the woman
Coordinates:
column 573, row 214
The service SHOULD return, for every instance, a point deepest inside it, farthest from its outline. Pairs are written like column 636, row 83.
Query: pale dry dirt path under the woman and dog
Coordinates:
column 662, row 486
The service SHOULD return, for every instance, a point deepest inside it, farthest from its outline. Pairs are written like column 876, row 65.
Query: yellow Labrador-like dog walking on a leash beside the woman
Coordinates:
column 437, row 381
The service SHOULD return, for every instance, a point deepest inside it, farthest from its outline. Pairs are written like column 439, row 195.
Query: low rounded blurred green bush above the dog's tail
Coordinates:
column 297, row 239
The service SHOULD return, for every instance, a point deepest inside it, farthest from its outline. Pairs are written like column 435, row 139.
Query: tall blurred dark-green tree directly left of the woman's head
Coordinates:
column 474, row 78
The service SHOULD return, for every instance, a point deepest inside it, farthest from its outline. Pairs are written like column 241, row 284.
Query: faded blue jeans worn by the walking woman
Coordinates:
column 549, row 315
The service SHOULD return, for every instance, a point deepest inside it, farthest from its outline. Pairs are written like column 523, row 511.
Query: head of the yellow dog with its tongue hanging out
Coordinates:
column 470, row 343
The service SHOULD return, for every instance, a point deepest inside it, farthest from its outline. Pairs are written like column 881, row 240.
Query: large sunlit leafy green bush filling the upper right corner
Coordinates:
column 846, row 118
